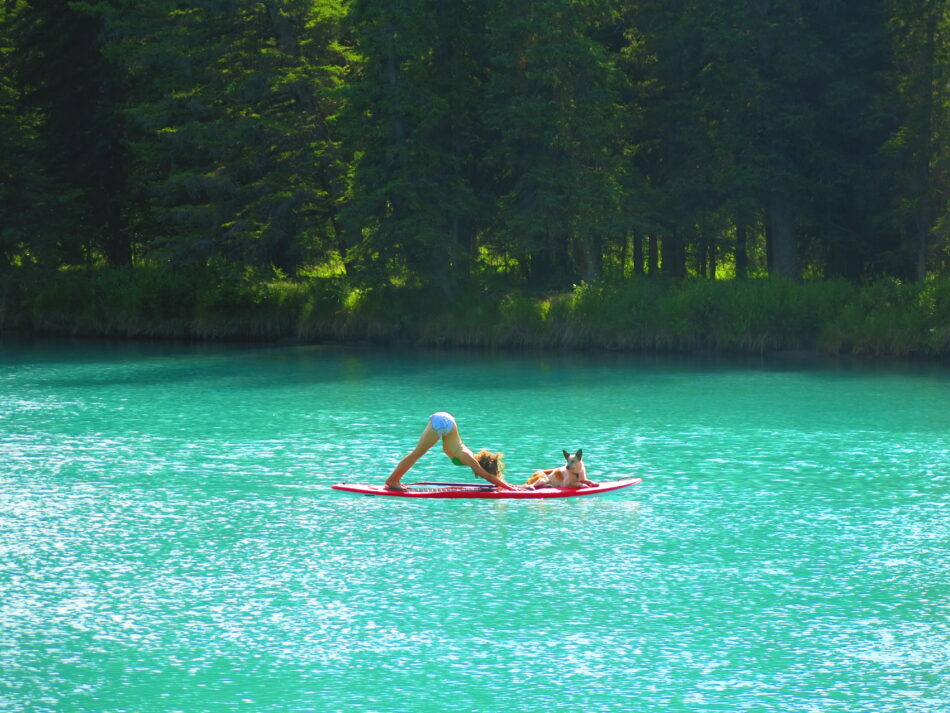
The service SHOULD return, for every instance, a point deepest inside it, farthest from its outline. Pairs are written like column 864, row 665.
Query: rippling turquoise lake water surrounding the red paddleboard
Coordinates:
column 168, row 541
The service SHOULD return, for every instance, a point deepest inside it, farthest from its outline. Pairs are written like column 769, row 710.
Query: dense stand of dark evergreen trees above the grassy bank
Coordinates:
column 809, row 137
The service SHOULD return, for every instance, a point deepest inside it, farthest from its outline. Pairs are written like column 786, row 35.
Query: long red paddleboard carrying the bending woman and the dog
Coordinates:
column 488, row 492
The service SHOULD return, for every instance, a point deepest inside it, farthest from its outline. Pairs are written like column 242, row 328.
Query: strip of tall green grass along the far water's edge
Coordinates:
column 755, row 316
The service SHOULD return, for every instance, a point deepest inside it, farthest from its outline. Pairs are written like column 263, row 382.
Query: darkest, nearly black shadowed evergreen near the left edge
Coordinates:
column 75, row 94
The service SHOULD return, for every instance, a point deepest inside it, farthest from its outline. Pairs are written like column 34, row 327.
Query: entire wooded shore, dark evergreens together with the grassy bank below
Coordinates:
column 741, row 174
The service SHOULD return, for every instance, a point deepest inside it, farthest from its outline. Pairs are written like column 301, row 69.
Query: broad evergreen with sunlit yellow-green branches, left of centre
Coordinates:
column 234, row 153
